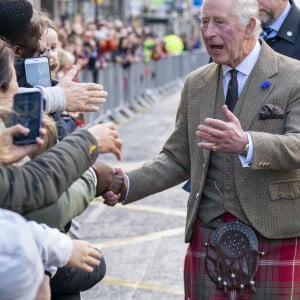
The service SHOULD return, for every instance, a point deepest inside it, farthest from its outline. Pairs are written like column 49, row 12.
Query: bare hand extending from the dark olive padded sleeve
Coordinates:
column 107, row 138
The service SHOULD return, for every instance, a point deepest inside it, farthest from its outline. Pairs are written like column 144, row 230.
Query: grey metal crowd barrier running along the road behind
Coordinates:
column 134, row 88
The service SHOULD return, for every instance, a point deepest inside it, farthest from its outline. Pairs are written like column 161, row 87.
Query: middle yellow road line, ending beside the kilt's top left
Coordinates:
column 141, row 238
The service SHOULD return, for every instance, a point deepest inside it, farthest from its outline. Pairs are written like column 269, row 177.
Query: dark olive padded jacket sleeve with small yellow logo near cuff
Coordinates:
column 40, row 182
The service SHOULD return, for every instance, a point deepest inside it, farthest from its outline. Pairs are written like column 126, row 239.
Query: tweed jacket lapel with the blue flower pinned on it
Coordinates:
column 252, row 99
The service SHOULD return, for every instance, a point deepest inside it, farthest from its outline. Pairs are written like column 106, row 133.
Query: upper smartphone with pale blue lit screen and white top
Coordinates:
column 37, row 71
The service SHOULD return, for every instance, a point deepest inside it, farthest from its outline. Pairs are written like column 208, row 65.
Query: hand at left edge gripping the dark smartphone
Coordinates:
column 10, row 153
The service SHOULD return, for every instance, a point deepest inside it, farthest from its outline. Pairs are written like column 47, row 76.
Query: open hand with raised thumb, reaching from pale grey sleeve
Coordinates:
column 82, row 96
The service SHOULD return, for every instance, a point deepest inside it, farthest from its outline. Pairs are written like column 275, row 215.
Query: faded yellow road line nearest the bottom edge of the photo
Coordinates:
column 146, row 286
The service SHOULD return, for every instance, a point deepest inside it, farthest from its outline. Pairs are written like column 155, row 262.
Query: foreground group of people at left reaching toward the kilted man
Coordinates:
column 51, row 181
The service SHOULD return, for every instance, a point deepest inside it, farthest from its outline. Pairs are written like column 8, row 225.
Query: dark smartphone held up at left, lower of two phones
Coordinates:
column 27, row 111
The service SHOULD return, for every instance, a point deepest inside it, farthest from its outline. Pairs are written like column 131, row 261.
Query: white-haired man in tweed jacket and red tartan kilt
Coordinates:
column 243, row 160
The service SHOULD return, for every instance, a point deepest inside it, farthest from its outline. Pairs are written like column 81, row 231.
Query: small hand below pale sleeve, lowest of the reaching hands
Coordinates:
column 84, row 256
